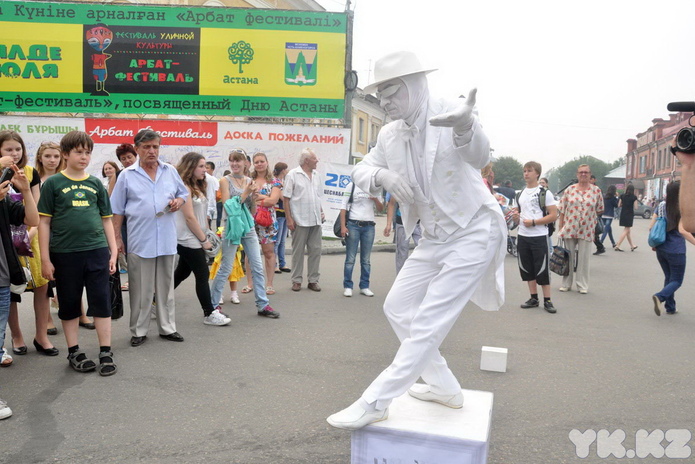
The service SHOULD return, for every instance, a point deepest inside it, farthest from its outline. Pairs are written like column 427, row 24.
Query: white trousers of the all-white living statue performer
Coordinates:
column 427, row 297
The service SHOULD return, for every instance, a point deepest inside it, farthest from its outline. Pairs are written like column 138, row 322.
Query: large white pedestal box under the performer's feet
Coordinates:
column 426, row 432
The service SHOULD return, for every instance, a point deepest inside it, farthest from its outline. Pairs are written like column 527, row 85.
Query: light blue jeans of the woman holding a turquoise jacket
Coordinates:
column 253, row 252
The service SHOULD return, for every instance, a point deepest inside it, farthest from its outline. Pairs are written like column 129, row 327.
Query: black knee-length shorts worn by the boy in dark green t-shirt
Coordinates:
column 82, row 270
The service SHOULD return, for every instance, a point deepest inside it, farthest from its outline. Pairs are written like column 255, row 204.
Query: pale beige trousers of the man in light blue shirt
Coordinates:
column 145, row 277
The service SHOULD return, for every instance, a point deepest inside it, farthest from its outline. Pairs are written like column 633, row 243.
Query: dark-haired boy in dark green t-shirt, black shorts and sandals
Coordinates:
column 76, row 228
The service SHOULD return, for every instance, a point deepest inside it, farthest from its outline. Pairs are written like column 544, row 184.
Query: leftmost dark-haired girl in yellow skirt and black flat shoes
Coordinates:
column 13, row 151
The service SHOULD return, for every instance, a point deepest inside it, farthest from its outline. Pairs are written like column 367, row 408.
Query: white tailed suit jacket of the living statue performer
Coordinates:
column 456, row 185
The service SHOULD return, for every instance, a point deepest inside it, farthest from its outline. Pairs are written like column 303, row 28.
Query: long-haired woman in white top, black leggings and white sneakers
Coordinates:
column 191, row 233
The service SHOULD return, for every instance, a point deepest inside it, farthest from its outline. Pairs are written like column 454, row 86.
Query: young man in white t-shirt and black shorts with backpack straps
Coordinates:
column 532, row 240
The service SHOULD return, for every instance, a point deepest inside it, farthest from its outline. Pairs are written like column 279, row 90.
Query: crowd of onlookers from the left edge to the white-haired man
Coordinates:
column 64, row 232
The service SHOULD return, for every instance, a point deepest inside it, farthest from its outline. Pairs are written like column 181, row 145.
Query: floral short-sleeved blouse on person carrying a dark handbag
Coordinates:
column 581, row 210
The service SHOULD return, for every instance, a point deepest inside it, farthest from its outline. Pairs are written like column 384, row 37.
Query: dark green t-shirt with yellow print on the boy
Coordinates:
column 76, row 208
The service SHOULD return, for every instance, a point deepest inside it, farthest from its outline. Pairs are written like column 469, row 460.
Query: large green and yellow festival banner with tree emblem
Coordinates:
column 120, row 58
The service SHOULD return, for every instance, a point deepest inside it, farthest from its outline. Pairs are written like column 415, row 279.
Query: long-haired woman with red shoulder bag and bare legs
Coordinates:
column 269, row 191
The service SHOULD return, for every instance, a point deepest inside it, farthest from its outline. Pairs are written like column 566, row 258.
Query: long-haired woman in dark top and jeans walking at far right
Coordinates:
column 671, row 253
